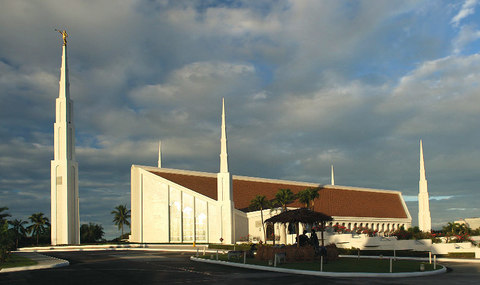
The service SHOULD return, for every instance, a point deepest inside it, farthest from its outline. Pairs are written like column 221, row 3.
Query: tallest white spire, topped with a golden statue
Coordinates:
column 65, row 221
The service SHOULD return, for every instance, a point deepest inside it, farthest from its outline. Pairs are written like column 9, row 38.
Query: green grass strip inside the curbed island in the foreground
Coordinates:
column 344, row 265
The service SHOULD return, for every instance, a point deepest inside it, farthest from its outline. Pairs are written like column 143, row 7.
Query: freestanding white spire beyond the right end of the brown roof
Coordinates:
column 424, row 218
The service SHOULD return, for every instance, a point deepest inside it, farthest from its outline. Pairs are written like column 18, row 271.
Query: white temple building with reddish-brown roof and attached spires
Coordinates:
column 181, row 206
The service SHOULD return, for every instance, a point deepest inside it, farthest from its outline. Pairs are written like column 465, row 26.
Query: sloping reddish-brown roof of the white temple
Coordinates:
column 333, row 200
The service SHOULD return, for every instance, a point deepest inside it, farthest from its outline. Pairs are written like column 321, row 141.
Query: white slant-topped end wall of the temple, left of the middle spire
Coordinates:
column 162, row 211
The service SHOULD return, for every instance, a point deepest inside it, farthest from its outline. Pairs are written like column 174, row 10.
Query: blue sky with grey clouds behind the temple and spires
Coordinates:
column 307, row 84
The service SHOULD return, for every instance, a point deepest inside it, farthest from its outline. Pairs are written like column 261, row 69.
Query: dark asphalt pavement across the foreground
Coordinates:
column 153, row 267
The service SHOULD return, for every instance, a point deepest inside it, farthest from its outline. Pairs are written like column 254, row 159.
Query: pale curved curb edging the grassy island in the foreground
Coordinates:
column 324, row 274
